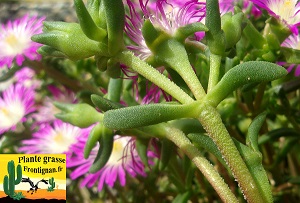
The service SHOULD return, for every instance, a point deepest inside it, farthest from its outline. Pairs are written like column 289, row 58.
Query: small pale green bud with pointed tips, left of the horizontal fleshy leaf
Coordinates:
column 81, row 115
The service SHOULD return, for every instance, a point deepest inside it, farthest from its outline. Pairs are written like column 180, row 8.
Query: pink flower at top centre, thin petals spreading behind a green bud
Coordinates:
column 165, row 15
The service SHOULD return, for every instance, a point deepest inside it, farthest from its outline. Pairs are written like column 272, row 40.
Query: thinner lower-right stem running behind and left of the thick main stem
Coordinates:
column 180, row 139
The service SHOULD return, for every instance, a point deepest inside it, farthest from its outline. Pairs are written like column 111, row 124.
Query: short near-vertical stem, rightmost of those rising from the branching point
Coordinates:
column 214, row 71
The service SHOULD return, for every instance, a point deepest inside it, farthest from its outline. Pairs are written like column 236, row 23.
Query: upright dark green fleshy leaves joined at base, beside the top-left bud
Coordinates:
column 109, row 22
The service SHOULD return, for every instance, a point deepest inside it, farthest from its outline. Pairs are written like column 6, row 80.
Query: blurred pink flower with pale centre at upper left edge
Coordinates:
column 15, row 40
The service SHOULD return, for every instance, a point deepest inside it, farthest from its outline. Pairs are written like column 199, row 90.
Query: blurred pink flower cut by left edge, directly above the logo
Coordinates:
column 16, row 102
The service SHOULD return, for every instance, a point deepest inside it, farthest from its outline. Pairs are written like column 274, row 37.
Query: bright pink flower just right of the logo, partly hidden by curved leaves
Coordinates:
column 124, row 159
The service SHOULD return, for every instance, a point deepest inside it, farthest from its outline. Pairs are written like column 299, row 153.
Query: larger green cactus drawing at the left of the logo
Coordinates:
column 10, row 182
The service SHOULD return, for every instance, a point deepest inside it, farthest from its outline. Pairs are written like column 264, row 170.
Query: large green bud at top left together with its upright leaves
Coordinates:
column 99, row 32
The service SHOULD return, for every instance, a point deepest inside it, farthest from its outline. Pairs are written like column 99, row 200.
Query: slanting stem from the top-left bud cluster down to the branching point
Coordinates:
column 153, row 75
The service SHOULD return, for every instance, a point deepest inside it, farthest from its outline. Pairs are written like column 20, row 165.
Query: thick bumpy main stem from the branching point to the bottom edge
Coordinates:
column 212, row 123
